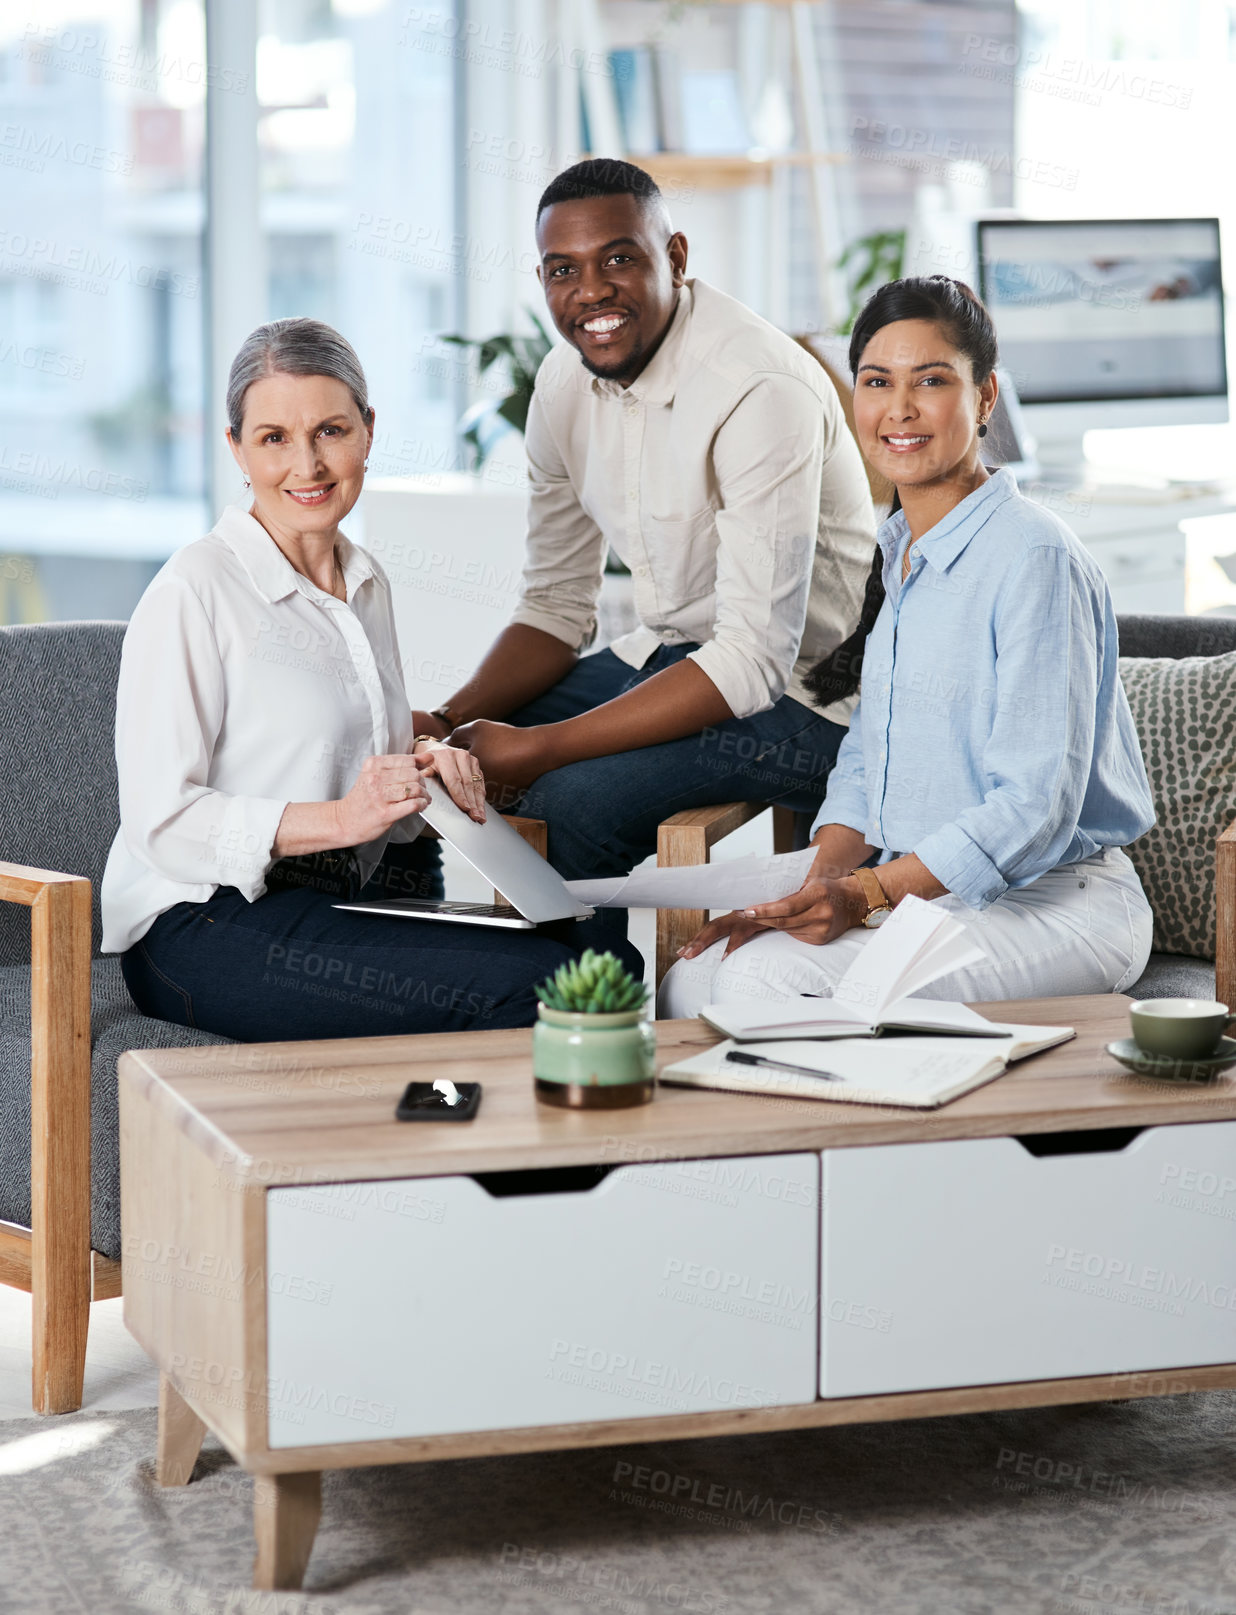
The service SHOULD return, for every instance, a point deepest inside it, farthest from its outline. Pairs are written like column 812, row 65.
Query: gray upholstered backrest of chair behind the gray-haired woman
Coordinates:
column 57, row 758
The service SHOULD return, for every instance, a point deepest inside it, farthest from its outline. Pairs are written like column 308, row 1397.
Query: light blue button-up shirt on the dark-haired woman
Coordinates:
column 993, row 736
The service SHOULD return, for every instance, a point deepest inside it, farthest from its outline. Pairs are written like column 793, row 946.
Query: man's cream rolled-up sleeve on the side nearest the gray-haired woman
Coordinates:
column 565, row 552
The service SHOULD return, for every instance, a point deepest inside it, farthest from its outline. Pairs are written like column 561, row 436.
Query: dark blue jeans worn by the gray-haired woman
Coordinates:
column 292, row 967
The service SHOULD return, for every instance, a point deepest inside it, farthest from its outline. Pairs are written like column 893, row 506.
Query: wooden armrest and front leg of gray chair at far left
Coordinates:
column 61, row 1123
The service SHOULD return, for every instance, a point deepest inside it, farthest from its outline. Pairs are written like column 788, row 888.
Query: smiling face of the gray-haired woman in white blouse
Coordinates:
column 303, row 447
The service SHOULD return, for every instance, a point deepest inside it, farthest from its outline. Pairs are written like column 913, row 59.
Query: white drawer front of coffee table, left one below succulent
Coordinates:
column 437, row 1306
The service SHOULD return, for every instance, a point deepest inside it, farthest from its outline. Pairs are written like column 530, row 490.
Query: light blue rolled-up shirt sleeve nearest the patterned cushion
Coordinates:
column 1038, row 758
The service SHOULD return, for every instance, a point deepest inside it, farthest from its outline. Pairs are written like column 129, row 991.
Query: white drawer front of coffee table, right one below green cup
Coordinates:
column 977, row 1262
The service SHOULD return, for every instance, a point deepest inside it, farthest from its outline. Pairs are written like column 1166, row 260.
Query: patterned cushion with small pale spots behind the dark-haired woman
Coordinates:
column 1187, row 723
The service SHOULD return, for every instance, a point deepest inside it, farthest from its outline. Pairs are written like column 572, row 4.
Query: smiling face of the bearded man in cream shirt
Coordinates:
column 612, row 274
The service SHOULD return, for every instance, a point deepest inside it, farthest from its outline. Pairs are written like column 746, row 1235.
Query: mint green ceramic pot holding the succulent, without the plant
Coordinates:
column 594, row 1062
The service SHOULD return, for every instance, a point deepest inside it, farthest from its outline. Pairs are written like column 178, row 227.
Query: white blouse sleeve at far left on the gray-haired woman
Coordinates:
column 170, row 711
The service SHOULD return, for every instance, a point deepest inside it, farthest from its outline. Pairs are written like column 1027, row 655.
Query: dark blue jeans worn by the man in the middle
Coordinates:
column 603, row 815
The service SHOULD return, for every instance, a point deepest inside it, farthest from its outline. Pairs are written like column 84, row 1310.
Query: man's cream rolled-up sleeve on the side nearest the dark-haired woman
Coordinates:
column 768, row 459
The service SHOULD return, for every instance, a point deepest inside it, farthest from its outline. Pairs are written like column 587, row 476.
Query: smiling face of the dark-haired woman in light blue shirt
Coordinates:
column 919, row 408
